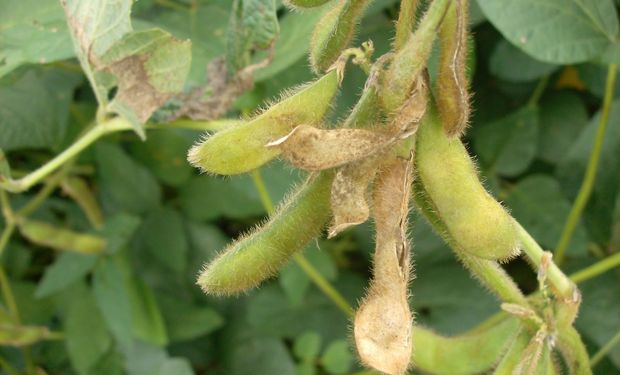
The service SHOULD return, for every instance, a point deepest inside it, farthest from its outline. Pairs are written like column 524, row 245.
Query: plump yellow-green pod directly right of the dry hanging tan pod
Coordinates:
column 476, row 222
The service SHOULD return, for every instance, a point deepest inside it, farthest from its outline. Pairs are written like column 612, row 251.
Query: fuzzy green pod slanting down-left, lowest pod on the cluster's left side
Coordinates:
column 260, row 254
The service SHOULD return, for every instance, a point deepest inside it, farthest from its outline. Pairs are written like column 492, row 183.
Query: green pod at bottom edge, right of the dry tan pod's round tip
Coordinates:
column 474, row 352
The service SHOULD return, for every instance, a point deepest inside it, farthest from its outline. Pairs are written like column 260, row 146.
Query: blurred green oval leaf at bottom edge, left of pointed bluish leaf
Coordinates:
column 87, row 338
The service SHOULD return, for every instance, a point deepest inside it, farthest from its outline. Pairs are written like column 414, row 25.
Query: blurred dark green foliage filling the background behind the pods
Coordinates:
column 135, row 307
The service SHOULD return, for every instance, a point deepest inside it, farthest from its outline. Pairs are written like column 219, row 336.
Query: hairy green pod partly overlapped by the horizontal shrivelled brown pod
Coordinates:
column 241, row 148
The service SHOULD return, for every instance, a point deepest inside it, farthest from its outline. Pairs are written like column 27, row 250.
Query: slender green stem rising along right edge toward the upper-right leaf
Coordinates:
column 590, row 176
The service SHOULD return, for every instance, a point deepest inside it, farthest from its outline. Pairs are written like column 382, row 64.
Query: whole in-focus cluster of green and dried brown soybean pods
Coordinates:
column 400, row 141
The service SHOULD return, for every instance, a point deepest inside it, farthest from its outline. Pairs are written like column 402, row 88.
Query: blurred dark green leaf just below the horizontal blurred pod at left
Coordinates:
column 67, row 269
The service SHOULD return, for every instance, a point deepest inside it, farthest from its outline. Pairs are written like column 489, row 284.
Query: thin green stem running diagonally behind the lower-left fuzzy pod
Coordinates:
column 314, row 275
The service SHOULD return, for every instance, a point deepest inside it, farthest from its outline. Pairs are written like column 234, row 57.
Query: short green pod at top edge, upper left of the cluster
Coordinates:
column 334, row 32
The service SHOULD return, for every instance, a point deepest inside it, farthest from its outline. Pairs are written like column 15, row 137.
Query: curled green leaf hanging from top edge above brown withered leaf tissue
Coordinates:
column 253, row 25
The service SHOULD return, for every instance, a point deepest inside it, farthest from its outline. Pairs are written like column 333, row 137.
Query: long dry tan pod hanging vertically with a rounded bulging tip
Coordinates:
column 383, row 323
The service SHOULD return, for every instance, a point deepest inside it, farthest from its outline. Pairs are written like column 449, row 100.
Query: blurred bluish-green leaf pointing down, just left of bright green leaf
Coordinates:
column 113, row 301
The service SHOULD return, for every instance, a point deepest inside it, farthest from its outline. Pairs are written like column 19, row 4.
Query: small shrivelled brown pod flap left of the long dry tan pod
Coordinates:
column 349, row 193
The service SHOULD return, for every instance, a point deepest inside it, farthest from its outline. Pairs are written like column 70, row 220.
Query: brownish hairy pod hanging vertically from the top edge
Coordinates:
column 453, row 97
